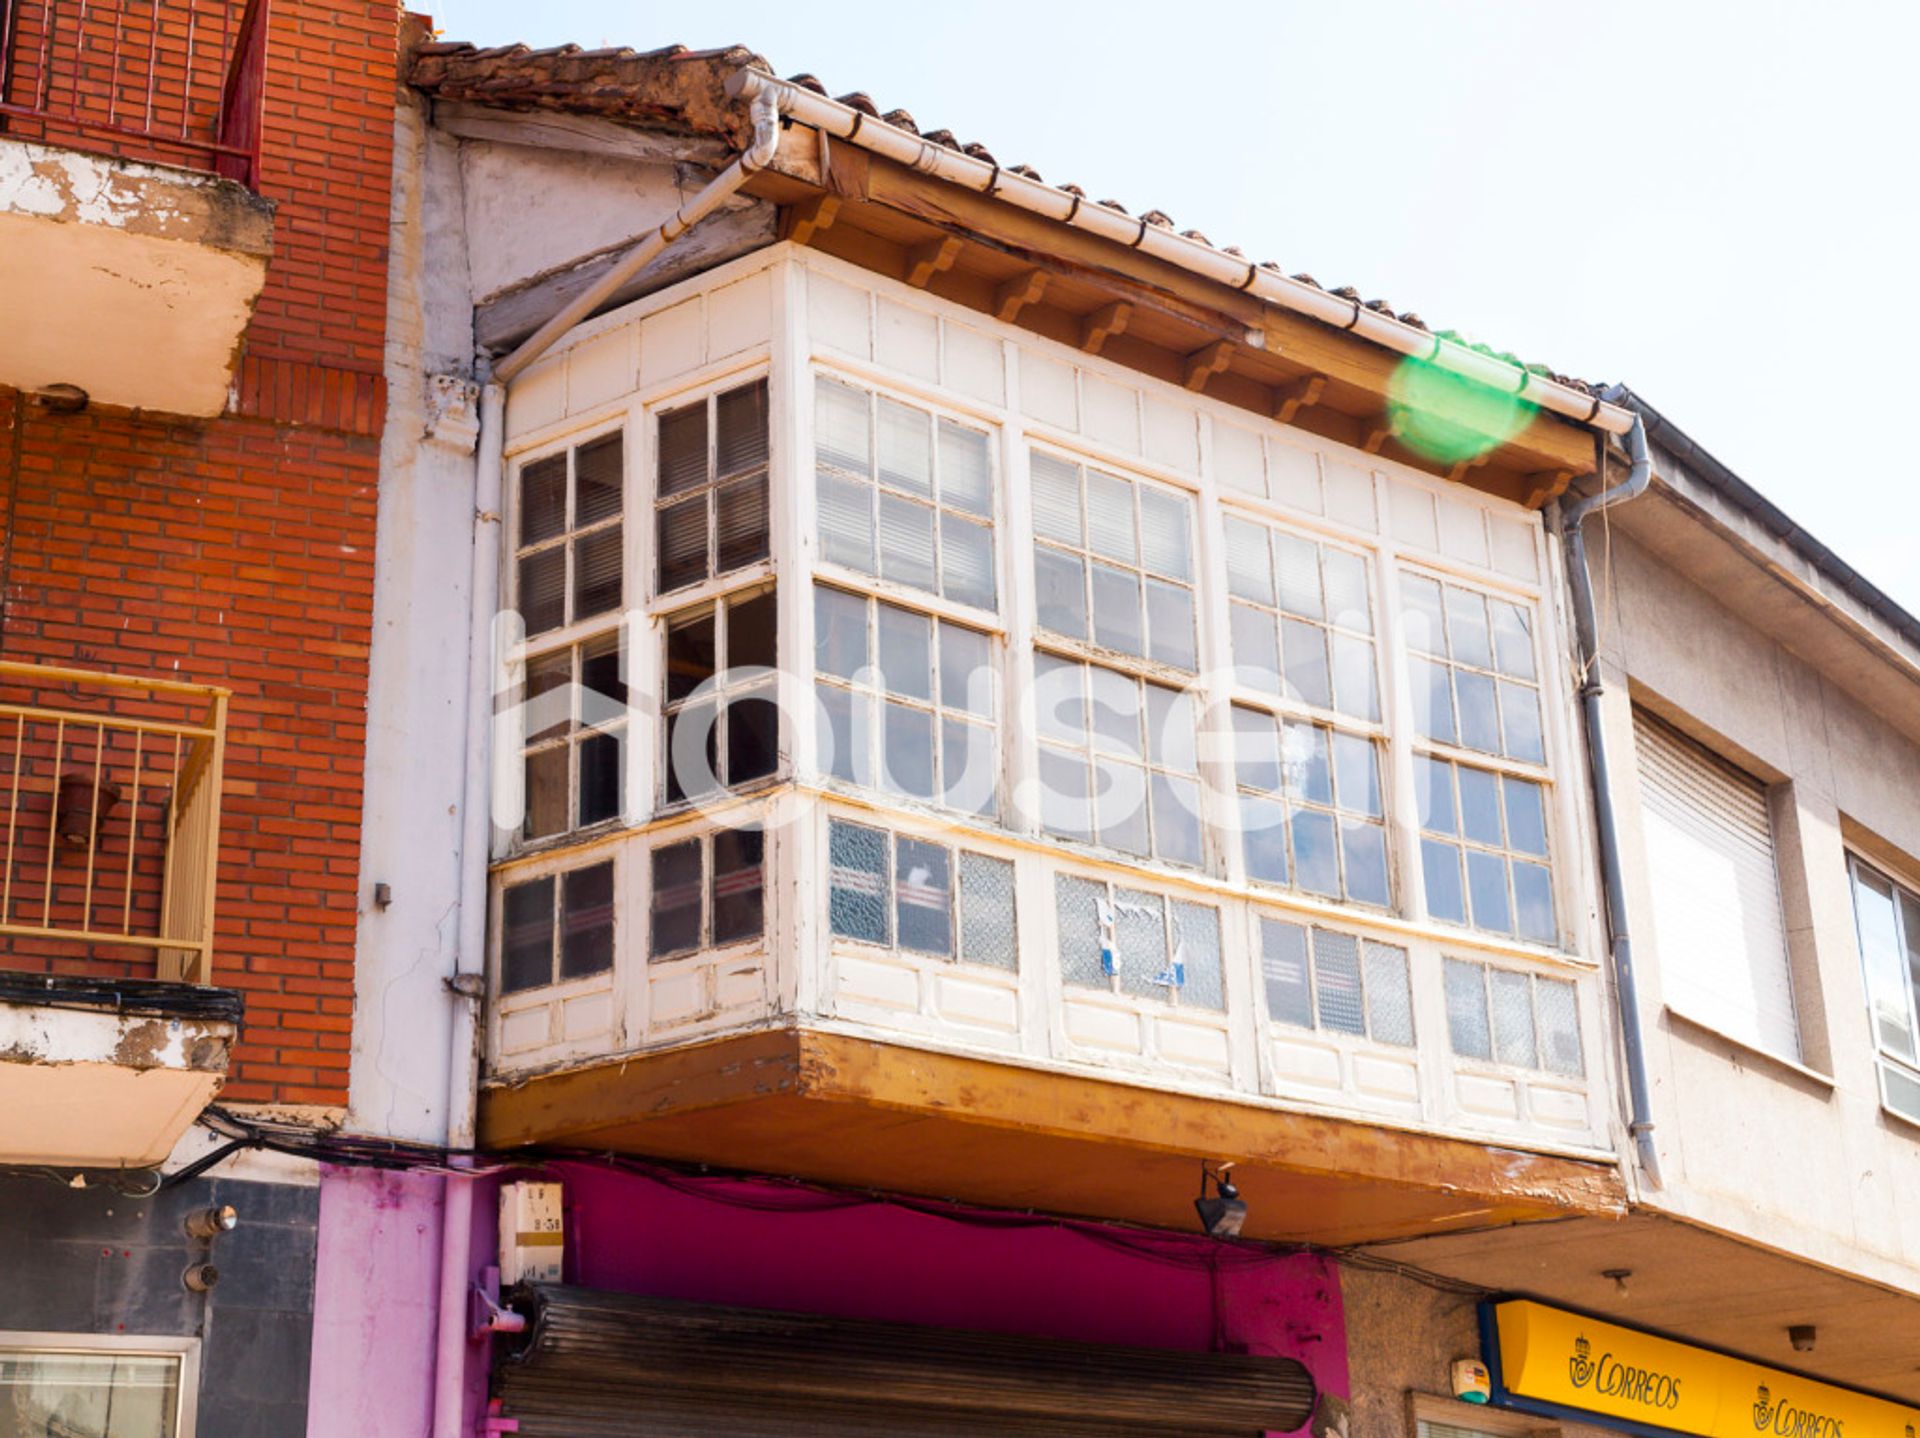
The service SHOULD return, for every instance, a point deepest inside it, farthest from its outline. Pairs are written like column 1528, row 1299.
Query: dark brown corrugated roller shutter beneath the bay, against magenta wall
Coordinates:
column 623, row 1366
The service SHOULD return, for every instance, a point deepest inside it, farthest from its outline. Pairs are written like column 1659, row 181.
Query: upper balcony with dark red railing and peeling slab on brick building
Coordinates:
column 133, row 243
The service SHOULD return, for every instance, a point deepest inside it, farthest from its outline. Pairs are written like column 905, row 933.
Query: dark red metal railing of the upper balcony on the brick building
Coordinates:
column 180, row 82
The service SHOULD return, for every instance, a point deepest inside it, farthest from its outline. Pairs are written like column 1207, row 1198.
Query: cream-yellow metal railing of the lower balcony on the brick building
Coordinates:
column 110, row 819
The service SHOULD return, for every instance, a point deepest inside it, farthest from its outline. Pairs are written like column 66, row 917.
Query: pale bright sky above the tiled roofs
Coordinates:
column 1717, row 204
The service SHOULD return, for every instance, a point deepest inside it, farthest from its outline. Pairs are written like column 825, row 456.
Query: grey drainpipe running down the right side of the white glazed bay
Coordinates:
column 1587, row 635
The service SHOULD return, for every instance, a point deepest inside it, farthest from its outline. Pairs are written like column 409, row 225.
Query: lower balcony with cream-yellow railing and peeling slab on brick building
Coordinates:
column 112, row 1040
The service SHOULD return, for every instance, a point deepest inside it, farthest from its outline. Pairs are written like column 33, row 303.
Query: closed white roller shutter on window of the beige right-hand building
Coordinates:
column 1716, row 890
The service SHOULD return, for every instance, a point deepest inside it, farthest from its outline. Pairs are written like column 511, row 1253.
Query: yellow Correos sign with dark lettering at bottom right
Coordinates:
column 1568, row 1360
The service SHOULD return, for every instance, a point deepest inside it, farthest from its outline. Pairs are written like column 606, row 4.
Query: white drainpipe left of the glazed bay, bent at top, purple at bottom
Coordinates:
column 469, row 961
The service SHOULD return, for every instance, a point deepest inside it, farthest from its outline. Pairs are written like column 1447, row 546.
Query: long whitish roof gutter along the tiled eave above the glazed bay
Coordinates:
column 1195, row 256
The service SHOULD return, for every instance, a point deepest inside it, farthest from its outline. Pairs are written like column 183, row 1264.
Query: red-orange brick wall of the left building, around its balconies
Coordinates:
column 239, row 552
